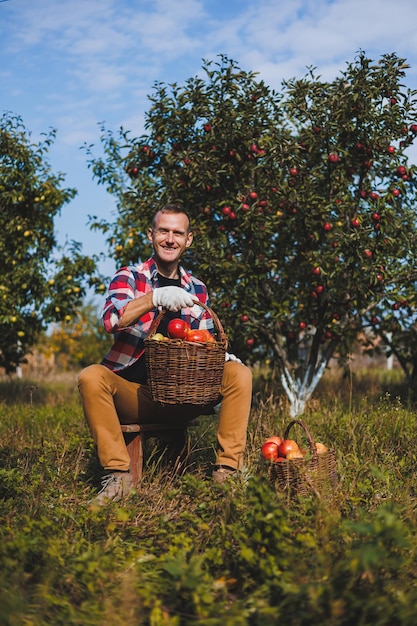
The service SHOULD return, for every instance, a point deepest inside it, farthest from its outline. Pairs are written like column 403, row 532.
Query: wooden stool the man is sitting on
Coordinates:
column 135, row 435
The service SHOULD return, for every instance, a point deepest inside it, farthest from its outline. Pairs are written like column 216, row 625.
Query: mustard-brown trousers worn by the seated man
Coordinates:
column 109, row 400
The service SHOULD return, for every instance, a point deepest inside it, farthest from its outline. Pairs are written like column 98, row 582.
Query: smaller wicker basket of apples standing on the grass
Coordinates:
column 314, row 474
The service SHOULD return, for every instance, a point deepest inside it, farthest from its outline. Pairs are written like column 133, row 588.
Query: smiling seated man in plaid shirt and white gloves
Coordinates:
column 116, row 392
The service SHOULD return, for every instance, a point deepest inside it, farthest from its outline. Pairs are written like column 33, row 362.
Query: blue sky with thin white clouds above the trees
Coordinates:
column 71, row 64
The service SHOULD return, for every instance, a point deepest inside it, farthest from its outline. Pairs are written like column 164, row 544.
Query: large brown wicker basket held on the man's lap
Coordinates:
column 185, row 372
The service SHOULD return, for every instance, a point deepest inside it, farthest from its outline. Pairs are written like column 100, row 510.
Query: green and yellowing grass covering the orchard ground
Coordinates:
column 186, row 551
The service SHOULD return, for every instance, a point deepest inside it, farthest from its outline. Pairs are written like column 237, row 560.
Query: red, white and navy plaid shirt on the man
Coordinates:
column 131, row 282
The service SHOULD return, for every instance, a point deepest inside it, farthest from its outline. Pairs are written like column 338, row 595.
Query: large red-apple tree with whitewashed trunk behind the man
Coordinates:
column 303, row 205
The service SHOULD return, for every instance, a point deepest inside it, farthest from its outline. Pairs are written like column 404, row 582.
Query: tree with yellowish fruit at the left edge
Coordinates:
column 40, row 282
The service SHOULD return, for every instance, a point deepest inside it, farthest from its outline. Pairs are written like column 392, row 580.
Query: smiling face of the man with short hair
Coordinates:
column 170, row 237
